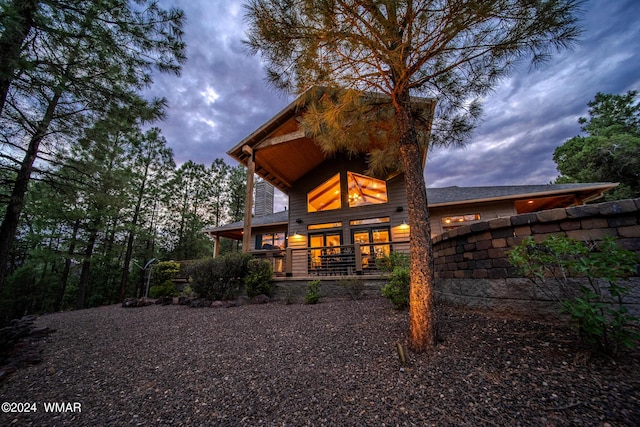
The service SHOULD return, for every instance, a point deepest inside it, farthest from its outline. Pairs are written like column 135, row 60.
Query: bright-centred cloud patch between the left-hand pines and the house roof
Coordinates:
column 220, row 96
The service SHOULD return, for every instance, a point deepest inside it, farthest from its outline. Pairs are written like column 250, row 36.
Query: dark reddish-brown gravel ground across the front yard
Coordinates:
column 334, row 363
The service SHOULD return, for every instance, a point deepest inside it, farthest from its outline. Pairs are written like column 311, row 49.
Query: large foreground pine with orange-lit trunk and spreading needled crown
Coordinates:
column 454, row 51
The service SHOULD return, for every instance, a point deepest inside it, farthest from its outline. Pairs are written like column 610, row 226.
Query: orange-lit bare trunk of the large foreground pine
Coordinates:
column 422, row 315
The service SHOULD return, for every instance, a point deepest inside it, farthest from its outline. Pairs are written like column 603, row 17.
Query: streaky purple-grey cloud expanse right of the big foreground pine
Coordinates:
column 533, row 112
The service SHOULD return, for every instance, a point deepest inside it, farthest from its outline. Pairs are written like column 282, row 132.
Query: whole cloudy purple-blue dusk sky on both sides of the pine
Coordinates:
column 221, row 96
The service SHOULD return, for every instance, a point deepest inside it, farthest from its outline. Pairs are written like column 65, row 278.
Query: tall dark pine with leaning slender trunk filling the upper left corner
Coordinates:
column 82, row 59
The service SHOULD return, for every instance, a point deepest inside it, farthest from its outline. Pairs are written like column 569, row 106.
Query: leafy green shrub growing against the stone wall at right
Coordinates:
column 595, row 303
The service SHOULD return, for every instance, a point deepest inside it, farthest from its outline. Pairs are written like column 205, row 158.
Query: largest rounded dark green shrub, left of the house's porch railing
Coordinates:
column 219, row 278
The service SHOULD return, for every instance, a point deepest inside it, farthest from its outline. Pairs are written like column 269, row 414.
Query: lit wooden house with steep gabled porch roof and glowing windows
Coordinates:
column 340, row 219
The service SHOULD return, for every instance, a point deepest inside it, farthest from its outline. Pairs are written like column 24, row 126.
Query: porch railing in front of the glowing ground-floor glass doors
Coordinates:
column 358, row 259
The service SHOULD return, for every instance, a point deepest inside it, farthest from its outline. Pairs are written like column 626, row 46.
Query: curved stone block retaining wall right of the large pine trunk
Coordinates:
column 472, row 268
